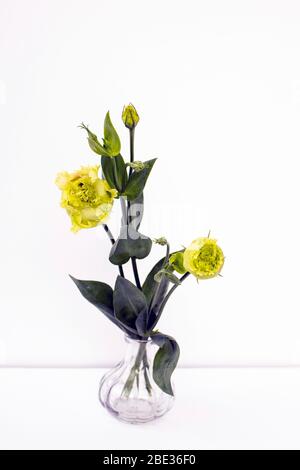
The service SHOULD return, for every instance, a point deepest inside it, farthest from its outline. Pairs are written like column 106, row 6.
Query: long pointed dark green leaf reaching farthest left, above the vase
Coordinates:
column 100, row 295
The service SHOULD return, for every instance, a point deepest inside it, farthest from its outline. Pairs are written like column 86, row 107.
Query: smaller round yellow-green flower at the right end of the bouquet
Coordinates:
column 203, row 258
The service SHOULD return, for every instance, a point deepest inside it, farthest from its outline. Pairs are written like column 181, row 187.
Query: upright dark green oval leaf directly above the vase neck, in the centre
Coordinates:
column 129, row 302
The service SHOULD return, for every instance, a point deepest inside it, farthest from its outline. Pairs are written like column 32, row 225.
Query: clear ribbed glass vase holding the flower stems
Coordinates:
column 128, row 391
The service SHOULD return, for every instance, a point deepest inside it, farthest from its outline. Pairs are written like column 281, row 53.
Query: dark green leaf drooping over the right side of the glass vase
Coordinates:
column 165, row 361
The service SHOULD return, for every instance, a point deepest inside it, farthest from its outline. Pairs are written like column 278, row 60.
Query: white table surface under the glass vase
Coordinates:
column 216, row 408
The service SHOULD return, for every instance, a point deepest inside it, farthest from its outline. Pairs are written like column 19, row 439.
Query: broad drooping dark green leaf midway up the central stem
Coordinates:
column 129, row 244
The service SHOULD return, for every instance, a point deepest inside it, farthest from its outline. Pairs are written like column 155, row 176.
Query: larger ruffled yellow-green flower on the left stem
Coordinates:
column 87, row 199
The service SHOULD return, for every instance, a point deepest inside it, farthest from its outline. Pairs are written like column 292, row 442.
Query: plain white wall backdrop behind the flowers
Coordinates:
column 217, row 86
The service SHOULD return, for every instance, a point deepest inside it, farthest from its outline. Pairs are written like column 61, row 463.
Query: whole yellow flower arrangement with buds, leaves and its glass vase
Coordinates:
column 88, row 196
